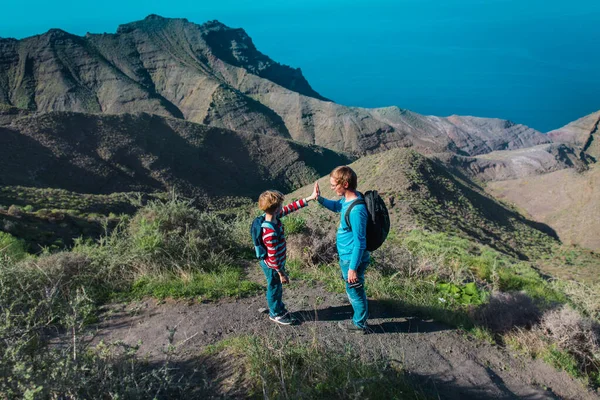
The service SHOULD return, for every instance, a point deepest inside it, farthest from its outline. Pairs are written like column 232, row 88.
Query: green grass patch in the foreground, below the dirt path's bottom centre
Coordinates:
column 278, row 369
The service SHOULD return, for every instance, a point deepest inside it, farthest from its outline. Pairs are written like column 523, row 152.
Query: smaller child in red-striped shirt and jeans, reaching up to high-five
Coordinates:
column 273, row 236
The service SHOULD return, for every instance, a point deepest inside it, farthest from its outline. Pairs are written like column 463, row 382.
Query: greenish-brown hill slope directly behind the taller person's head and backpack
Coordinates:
column 421, row 193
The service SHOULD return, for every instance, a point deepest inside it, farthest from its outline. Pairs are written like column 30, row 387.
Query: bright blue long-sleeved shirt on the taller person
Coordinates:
column 351, row 244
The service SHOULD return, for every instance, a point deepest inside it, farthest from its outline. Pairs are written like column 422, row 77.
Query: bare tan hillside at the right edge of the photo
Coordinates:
column 565, row 199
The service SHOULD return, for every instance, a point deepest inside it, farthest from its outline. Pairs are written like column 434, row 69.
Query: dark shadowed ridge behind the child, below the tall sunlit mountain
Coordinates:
column 102, row 154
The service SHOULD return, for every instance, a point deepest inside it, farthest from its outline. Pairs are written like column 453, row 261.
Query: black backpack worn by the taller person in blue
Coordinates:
column 378, row 223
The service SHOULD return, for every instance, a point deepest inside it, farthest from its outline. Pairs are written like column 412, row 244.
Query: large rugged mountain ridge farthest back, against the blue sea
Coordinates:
column 213, row 74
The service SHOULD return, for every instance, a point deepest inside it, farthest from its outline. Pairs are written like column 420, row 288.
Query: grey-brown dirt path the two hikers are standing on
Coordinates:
column 444, row 361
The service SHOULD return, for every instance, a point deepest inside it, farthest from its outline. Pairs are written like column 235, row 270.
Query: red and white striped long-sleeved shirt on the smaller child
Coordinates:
column 274, row 239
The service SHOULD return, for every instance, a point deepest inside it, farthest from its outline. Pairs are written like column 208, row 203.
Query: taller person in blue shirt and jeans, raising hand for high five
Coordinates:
column 351, row 243
